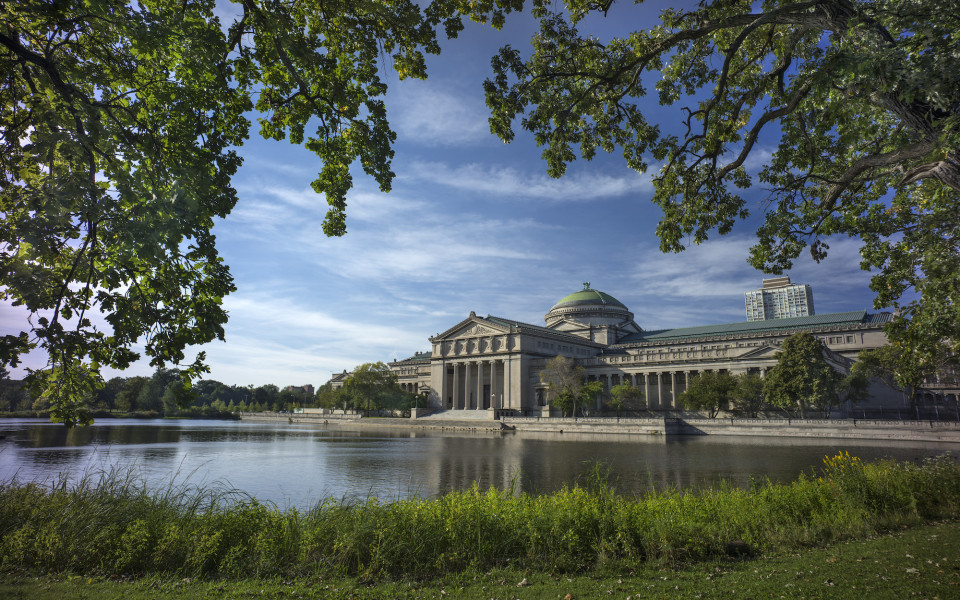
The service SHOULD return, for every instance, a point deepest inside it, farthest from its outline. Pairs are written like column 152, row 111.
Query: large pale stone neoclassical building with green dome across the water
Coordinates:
column 493, row 363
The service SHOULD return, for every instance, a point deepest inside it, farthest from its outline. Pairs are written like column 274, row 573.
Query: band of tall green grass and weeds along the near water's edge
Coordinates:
column 115, row 525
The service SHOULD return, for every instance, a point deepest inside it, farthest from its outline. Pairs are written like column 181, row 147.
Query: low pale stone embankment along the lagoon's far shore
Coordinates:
column 668, row 427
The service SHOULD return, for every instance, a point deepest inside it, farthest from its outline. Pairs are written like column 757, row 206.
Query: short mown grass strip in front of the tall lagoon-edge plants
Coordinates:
column 922, row 562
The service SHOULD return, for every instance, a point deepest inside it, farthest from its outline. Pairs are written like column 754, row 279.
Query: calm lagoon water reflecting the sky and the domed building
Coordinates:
column 299, row 465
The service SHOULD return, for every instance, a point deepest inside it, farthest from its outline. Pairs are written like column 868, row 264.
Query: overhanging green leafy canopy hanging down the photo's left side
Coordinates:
column 119, row 124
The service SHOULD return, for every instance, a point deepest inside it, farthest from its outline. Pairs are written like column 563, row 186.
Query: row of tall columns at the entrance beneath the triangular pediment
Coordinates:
column 478, row 384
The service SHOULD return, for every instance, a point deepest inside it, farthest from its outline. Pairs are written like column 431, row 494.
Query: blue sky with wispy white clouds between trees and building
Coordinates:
column 471, row 224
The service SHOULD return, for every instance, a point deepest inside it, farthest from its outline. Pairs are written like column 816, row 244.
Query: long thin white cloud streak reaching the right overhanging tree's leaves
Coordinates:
column 506, row 182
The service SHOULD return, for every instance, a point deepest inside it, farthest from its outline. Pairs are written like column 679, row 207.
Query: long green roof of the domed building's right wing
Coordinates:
column 857, row 317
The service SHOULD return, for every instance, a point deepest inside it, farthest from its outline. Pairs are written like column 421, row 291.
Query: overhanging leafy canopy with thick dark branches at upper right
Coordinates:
column 863, row 94
